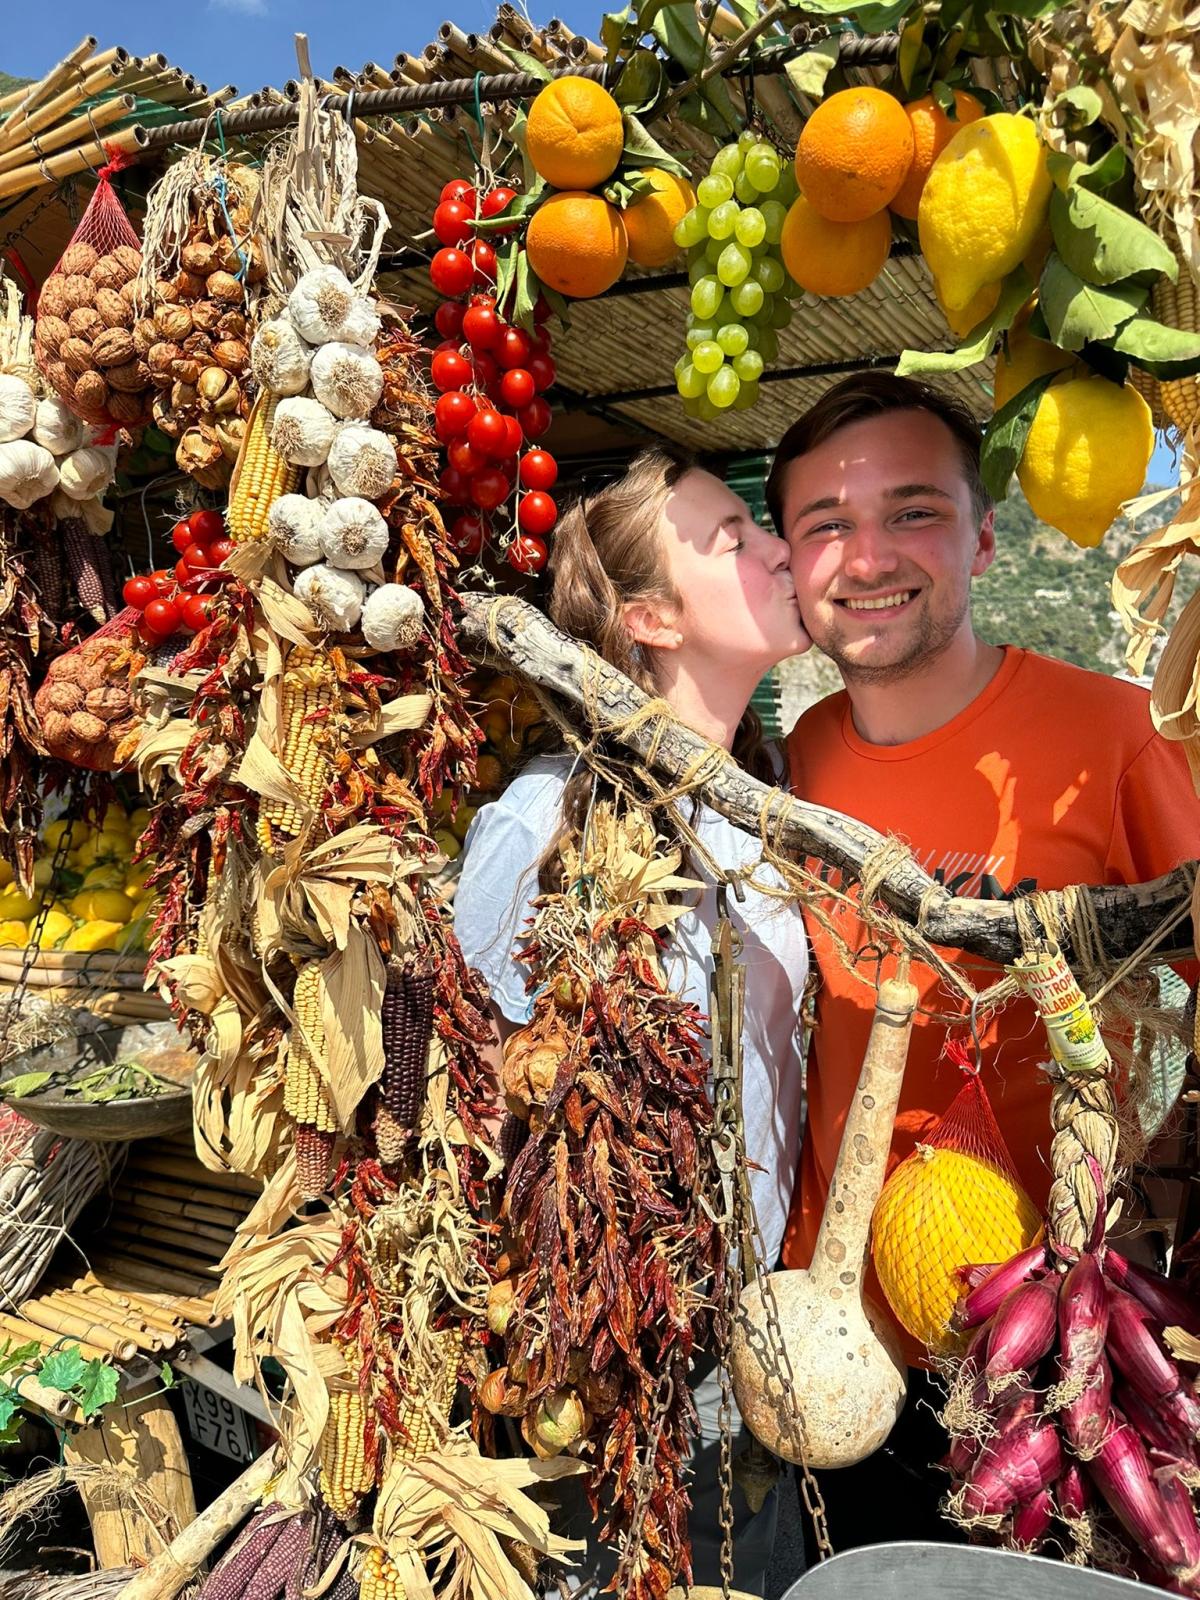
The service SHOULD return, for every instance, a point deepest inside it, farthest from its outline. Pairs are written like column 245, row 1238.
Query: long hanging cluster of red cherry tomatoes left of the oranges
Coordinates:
column 490, row 378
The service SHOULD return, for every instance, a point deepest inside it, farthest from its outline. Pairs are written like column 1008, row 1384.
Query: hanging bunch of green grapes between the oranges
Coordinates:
column 740, row 289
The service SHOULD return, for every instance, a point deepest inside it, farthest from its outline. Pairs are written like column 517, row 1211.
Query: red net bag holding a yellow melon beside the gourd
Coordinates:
column 953, row 1204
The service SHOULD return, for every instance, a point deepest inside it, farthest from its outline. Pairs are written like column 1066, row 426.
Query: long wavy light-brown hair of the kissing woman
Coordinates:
column 607, row 554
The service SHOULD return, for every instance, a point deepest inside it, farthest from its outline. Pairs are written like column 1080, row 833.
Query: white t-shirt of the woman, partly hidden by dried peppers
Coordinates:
column 492, row 908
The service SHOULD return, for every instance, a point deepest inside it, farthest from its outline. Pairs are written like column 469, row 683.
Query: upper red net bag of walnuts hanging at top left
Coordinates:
column 89, row 342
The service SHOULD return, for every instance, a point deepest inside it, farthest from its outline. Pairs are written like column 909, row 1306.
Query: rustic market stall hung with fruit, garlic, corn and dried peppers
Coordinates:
column 294, row 388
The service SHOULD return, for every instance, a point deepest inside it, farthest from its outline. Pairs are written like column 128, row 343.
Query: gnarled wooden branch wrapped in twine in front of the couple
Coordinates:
column 516, row 636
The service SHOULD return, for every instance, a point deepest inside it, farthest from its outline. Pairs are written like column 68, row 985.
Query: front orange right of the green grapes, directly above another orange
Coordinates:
column 854, row 154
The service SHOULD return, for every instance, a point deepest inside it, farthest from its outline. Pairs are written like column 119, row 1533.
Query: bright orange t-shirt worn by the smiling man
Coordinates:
column 1050, row 777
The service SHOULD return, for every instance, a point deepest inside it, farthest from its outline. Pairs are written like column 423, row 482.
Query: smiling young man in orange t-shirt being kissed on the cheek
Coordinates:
column 1006, row 772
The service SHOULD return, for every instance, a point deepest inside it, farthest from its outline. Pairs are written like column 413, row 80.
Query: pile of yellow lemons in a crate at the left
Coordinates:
column 98, row 900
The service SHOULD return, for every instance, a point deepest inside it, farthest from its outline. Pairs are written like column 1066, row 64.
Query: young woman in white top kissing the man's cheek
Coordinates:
column 668, row 577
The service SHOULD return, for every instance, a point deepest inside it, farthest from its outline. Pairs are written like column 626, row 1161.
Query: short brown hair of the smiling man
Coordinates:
column 876, row 394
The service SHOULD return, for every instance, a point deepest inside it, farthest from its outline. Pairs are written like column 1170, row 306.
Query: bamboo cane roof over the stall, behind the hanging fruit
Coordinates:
column 615, row 348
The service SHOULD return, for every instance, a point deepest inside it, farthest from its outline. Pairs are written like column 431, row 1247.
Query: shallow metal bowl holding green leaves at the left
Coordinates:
column 154, row 1046
